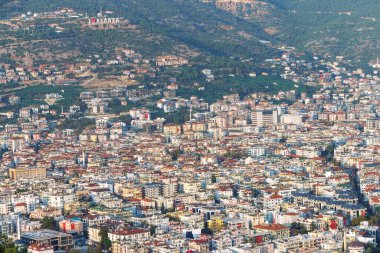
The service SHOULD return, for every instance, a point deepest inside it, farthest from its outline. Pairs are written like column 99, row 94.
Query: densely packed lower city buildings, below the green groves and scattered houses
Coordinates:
column 242, row 175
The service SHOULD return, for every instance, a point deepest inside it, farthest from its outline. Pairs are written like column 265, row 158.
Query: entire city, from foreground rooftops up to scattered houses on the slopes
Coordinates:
column 142, row 161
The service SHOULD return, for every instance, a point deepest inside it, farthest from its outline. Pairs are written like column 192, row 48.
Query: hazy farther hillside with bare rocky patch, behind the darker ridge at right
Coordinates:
column 348, row 28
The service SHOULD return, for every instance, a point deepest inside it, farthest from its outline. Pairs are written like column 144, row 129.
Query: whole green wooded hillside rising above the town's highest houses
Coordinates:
column 220, row 29
